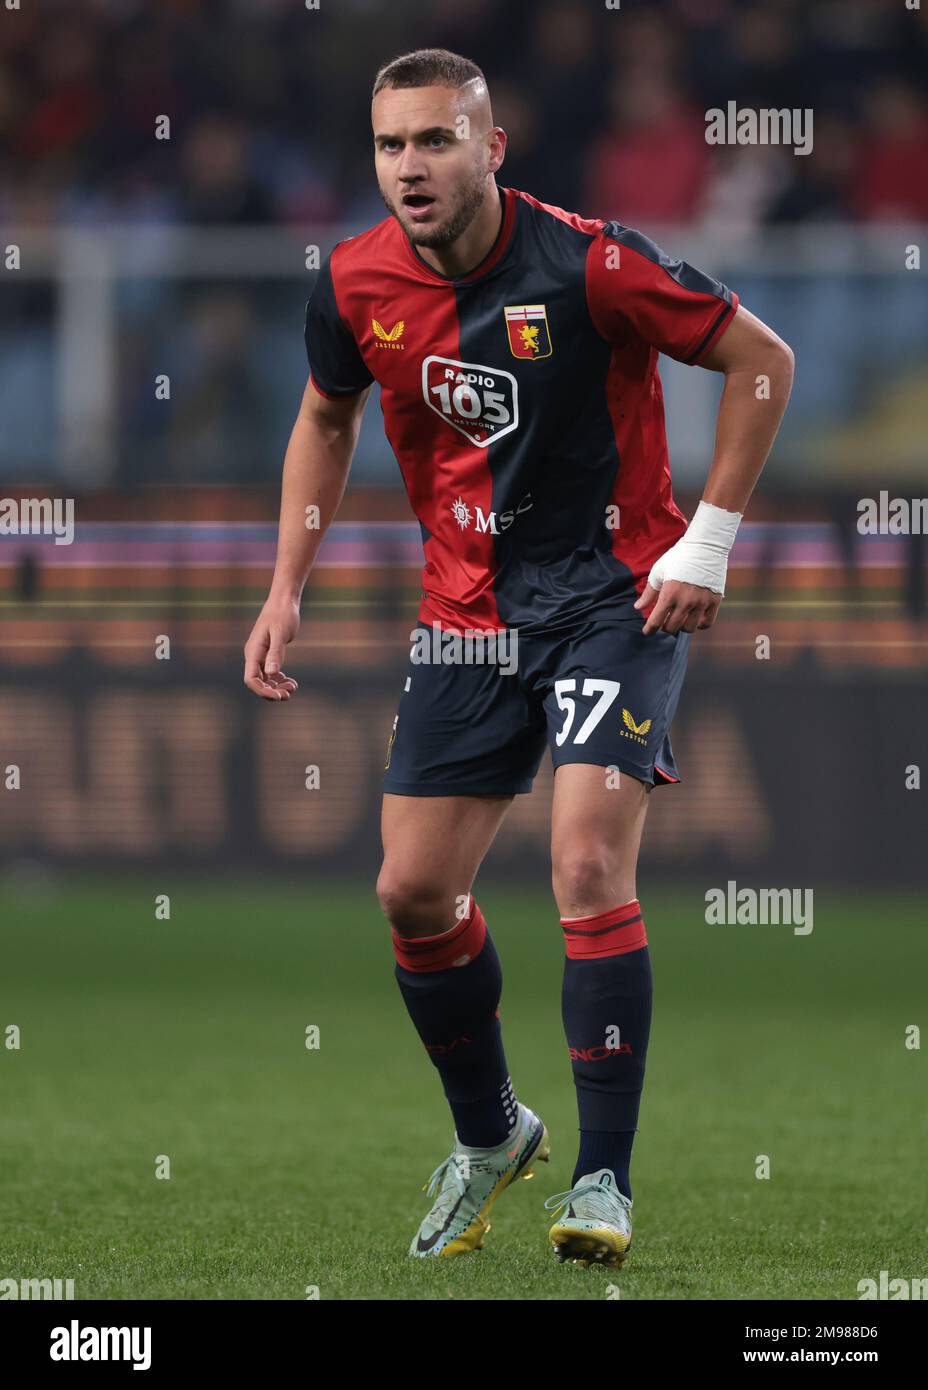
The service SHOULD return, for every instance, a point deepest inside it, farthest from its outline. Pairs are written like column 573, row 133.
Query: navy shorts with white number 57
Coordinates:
column 597, row 693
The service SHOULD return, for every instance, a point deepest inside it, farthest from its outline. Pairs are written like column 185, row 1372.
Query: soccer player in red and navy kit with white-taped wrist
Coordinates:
column 516, row 348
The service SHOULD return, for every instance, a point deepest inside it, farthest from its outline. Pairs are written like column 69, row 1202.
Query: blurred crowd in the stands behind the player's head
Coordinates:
column 605, row 108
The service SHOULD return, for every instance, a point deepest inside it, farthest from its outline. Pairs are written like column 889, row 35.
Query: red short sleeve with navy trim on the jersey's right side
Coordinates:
column 636, row 290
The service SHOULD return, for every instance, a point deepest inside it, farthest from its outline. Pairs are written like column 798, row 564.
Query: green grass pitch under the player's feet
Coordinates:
column 297, row 1168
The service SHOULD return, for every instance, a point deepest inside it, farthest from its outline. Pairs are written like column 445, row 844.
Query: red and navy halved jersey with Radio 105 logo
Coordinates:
column 523, row 404
